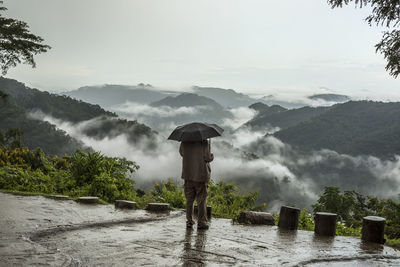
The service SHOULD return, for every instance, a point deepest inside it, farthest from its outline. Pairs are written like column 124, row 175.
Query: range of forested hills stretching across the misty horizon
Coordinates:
column 353, row 127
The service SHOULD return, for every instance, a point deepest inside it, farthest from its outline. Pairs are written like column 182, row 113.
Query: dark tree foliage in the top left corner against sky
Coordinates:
column 17, row 44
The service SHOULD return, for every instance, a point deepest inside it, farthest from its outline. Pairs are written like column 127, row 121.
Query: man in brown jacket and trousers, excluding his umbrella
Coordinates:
column 196, row 158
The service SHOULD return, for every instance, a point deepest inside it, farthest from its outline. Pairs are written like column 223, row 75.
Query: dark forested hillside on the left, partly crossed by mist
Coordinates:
column 20, row 101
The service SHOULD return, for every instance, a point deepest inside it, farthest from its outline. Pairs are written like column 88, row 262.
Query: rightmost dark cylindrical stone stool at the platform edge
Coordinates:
column 373, row 229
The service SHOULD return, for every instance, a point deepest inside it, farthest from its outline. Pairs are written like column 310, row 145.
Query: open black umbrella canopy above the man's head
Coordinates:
column 196, row 131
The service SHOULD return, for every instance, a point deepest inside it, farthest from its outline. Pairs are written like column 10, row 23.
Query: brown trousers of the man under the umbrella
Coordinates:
column 198, row 191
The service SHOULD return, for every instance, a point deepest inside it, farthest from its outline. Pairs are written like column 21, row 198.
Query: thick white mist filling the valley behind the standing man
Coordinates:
column 253, row 161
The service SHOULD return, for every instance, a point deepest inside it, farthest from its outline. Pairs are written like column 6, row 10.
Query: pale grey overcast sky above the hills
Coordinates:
column 252, row 46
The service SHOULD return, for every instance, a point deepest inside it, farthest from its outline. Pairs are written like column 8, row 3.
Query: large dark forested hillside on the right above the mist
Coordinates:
column 362, row 127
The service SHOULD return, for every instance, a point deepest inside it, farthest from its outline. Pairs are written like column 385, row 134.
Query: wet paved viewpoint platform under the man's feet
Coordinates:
column 41, row 231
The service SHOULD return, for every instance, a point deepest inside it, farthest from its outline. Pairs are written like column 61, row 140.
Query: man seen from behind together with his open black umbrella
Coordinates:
column 196, row 154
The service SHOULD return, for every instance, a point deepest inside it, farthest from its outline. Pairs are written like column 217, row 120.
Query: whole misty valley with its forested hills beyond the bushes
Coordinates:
column 257, row 150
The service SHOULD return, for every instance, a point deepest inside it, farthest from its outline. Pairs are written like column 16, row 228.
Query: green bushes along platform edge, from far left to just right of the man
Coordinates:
column 94, row 174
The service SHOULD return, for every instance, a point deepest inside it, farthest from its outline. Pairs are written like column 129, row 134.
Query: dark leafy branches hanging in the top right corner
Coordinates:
column 385, row 13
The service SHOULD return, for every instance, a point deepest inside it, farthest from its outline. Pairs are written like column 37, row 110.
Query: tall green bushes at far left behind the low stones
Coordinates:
column 81, row 174
